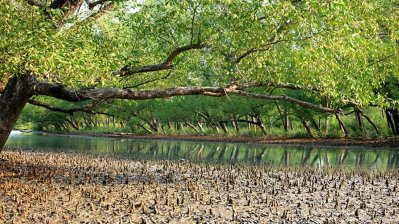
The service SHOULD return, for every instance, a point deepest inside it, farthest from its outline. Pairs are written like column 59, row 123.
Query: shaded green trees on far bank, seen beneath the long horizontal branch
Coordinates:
column 206, row 116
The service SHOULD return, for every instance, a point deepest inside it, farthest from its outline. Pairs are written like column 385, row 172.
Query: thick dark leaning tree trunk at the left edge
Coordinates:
column 13, row 99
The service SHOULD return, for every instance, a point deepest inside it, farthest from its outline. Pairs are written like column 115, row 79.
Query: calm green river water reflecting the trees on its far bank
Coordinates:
column 211, row 152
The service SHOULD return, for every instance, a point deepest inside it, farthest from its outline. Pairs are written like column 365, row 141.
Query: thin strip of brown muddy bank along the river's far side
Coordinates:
column 387, row 142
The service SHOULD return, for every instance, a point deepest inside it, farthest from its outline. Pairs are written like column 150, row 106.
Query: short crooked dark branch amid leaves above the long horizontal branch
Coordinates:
column 167, row 64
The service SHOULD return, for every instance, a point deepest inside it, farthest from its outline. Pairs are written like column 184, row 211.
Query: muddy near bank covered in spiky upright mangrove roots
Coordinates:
column 71, row 188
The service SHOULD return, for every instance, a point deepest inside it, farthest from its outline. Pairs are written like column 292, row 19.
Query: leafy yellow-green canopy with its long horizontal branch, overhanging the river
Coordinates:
column 340, row 52
